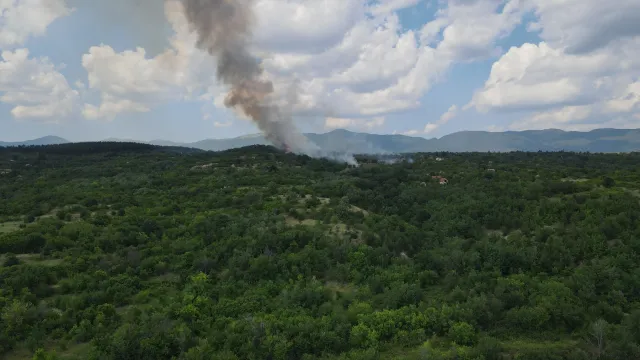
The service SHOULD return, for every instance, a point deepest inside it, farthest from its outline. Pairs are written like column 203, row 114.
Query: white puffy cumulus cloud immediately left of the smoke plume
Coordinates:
column 131, row 81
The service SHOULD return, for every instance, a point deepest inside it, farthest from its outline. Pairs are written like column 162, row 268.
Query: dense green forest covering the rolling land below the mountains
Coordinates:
column 130, row 251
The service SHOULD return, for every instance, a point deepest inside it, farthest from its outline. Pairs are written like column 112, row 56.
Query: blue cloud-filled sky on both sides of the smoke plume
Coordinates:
column 130, row 69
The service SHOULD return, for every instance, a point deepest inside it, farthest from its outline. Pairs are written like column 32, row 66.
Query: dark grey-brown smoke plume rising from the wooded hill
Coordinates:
column 224, row 30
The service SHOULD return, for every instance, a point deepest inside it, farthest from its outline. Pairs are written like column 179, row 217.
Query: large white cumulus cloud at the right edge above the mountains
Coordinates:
column 584, row 71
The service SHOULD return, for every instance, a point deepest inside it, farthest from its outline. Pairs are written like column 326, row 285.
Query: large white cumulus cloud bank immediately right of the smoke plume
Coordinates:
column 377, row 66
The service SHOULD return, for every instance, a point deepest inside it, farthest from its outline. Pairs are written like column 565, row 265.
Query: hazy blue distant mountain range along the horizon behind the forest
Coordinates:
column 599, row 140
